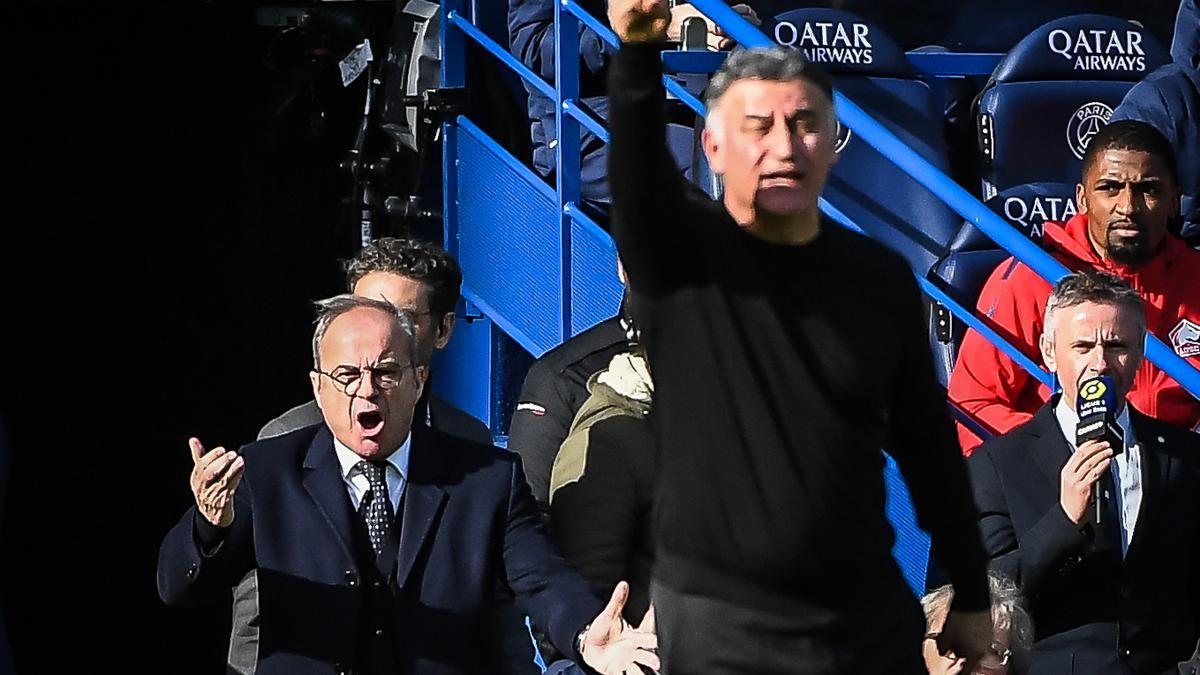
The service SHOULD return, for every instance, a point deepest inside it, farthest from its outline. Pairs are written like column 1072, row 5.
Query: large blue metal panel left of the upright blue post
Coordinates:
column 508, row 238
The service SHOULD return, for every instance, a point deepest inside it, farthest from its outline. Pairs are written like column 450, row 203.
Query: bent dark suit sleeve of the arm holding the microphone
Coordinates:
column 1031, row 560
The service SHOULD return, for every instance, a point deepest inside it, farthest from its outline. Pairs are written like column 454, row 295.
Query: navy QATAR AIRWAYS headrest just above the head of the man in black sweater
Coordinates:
column 843, row 44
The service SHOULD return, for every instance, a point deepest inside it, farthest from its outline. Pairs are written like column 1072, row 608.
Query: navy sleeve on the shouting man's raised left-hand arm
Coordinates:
column 191, row 574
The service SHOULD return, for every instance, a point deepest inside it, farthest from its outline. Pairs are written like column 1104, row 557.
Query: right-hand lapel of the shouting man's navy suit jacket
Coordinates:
column 424, row 497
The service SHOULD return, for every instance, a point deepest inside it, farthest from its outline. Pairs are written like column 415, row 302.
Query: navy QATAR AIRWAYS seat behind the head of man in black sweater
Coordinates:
column 872, row 70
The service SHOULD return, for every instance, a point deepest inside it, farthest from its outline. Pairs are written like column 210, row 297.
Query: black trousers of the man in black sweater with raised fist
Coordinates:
column 706, row 636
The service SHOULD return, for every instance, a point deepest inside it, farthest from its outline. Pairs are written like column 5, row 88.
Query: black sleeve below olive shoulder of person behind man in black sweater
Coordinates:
column 596, row 517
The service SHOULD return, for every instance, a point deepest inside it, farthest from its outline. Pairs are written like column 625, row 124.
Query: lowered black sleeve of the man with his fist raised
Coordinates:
column 922, row 441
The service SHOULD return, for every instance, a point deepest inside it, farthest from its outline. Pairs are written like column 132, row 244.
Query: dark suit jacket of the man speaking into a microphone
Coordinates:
column 1095, row 613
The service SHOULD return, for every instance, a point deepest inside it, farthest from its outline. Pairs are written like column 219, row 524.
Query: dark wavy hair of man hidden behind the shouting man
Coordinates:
column 422, row 261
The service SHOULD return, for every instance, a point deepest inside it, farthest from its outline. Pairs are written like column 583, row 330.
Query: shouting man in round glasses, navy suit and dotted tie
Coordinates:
column 377, row 541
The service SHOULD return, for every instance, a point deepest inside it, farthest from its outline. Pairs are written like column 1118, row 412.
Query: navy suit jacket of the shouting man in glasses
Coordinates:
column 467, row 518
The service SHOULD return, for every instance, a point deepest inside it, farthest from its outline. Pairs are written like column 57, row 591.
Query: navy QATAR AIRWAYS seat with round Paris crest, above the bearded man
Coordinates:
column 1053, row 92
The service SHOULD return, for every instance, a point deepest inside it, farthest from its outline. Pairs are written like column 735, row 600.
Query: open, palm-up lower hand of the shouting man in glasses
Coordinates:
column 613, row 647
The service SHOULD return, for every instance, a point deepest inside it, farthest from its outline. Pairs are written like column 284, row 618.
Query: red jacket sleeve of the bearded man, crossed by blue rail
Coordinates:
column 986, row 381
